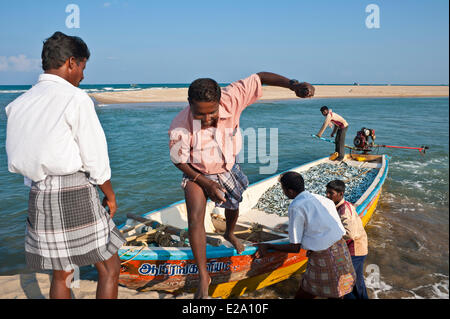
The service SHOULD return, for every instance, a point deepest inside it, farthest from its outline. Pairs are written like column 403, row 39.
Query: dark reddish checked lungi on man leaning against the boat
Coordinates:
column 329, row 273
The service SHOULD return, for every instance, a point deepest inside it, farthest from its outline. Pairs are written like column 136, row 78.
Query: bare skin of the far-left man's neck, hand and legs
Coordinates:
column 108, row 270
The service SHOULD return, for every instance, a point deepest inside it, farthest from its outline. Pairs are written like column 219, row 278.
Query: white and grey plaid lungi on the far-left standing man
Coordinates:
column 67, row 226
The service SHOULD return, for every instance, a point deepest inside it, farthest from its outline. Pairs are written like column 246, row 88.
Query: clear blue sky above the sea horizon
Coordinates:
column 148, row 41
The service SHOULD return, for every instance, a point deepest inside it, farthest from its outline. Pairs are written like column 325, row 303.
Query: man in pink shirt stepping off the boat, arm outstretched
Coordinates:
column 204, row 141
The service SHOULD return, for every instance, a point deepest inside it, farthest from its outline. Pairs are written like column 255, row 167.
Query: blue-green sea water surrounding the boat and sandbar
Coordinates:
column 408, row 233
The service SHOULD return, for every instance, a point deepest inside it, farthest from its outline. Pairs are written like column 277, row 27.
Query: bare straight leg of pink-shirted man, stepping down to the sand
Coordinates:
column 196, row 206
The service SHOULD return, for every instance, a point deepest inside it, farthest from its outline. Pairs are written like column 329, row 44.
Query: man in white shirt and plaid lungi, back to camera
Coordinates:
column 55, row 140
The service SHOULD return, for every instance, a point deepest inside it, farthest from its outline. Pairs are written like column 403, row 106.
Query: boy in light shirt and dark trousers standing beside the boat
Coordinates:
column 355, row 236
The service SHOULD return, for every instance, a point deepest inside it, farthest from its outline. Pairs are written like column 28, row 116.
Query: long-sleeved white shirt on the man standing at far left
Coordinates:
column 53, row 129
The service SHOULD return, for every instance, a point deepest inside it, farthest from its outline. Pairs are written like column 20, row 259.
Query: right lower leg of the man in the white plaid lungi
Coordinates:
column 108, row 278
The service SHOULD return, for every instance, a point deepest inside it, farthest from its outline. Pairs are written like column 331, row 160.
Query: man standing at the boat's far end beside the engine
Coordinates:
column 340, row 129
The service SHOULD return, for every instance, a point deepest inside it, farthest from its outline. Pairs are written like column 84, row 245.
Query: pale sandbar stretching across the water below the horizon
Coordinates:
column 275, row 93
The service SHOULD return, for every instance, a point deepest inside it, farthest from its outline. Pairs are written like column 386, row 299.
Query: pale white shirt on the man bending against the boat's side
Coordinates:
column 314, row 222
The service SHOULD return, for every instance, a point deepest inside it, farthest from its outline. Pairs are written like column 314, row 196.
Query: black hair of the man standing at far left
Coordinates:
column 60, row 47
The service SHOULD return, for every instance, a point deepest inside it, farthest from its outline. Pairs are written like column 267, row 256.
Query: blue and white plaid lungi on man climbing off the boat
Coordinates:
column 235, row 183
